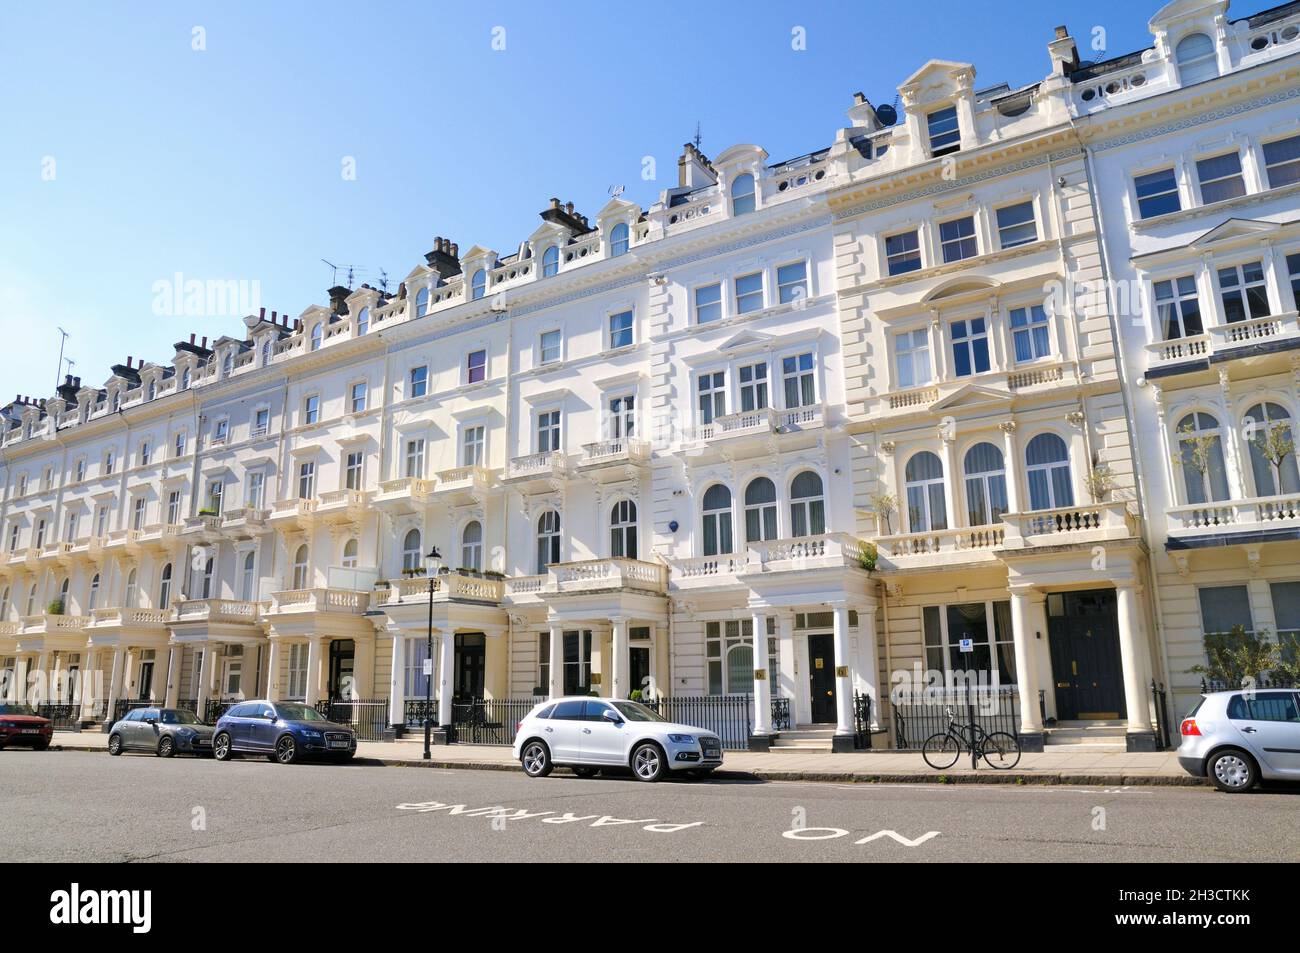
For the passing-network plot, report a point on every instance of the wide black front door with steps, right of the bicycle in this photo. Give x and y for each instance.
(1085, 638)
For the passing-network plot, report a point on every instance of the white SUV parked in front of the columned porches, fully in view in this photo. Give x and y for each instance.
(591, 734)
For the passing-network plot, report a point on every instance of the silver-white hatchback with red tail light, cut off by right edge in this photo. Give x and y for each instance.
(1238, 738)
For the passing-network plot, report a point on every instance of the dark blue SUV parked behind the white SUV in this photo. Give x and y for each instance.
(284, 731)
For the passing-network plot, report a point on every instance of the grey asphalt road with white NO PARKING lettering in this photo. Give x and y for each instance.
(89, 807)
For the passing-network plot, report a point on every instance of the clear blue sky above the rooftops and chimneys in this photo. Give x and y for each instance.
(148, 146)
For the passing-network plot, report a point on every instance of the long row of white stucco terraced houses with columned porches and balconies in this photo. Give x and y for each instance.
(796, 428)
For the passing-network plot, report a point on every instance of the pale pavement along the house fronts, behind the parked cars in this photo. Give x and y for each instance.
(866, 768)
